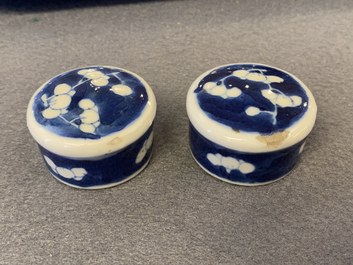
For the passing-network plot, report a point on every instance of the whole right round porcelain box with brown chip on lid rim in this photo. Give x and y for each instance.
(249, 122)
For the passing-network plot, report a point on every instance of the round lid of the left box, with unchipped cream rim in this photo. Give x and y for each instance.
(91, 111)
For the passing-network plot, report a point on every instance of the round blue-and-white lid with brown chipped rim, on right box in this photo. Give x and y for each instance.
(251, 107)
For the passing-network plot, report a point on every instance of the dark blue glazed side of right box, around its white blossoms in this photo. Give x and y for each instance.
(268, 166)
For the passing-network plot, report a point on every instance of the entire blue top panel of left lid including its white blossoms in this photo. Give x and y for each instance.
(90, 103)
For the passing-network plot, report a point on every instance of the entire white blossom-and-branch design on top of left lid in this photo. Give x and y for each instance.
(57, 104)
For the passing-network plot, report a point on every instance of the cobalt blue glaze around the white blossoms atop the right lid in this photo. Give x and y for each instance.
(231, 111)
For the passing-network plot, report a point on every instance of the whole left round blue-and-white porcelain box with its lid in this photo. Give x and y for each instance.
(93, 125)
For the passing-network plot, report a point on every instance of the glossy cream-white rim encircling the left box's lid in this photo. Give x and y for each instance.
(81, 148)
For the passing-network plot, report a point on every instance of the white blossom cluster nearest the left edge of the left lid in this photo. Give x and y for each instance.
(57, 104)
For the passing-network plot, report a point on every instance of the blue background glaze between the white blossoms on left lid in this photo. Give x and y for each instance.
(115, 111)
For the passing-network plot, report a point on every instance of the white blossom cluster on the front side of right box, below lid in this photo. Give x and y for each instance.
(230, 163)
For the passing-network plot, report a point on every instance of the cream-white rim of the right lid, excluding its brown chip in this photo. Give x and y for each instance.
(244, 141)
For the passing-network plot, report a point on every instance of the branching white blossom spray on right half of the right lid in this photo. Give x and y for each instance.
(275, 96)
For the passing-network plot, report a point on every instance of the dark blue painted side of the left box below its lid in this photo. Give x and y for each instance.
(107, 171)
